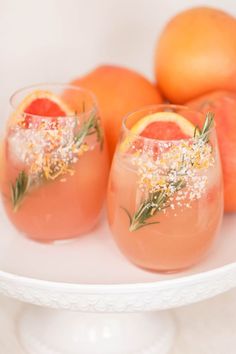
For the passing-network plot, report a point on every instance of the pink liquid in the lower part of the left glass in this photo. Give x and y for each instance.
(63, 208)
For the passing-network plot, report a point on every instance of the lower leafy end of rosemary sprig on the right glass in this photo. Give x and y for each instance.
(154, 203)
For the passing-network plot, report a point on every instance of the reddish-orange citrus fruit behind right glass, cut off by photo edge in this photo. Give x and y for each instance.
(223, 104)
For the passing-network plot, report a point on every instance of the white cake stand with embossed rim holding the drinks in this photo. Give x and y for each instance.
(93, 301)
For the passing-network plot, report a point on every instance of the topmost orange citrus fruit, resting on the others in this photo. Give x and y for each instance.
(196, 54)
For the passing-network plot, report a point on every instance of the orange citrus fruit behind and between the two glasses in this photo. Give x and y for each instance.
(118, 91)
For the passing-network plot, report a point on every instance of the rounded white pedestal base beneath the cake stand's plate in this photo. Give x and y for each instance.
(54, 332)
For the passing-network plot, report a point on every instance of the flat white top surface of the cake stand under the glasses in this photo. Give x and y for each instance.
(94, 258)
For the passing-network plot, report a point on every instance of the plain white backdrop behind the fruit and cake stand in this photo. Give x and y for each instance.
(57, 40)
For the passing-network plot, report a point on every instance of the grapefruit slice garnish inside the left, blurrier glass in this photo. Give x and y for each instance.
(42, 104)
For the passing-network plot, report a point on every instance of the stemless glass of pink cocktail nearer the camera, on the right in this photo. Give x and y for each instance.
(165, 197)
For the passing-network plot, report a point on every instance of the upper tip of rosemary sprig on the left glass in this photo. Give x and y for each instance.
(90, 127)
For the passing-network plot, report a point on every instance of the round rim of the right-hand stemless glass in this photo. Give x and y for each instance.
(159, 106)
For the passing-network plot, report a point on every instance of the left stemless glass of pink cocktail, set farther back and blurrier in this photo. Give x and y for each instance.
(54, 168)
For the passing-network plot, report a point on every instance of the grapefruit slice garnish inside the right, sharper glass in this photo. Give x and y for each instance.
(160, 126)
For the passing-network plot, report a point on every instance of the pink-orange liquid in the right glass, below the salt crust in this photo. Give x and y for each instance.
(182, 236)
